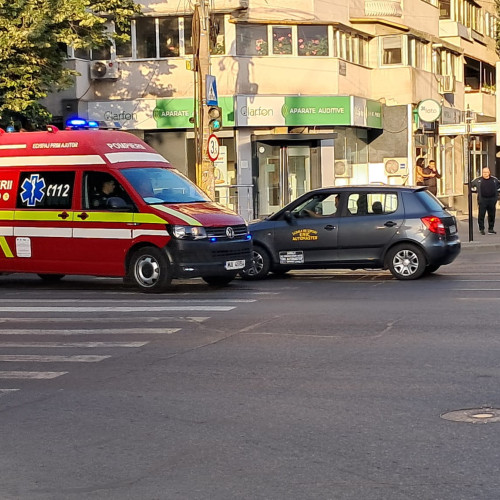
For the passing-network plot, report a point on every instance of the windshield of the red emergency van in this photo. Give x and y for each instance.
(162, 185)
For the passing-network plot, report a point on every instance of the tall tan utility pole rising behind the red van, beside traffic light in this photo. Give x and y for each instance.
(201, 49)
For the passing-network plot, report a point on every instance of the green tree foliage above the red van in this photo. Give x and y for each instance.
(34, 35)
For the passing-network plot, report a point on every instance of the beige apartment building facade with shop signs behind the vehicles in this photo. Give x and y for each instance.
(313, 93)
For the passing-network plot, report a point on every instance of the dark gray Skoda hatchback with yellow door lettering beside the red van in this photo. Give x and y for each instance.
(404, 229)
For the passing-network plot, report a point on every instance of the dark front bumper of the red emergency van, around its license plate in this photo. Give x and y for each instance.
(191, 259)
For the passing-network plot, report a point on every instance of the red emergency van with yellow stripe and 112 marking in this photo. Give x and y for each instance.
(104, 203)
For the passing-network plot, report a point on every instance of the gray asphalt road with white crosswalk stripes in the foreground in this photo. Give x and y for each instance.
(318, 385)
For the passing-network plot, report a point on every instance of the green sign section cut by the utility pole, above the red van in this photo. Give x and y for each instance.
(175, 113)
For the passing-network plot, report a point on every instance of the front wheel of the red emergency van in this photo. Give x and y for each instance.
(149, 270)
